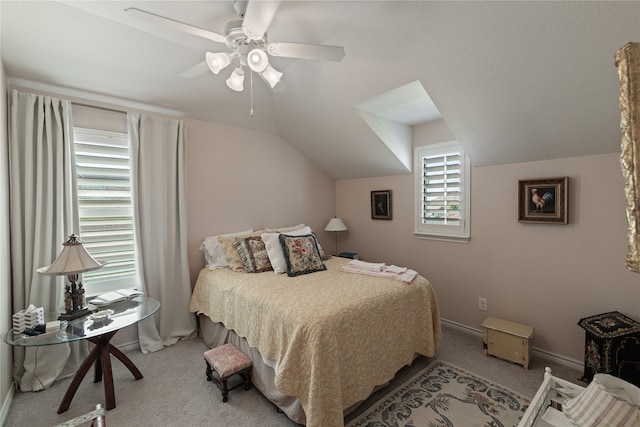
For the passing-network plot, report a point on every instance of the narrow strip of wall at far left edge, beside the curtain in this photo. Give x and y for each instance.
(6, 360)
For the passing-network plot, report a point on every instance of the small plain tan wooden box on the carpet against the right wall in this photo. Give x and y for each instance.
(507, 340)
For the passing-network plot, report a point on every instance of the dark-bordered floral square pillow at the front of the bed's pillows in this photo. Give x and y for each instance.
(301, 254)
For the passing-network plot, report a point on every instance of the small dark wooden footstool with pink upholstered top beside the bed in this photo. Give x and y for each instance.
(226, 361)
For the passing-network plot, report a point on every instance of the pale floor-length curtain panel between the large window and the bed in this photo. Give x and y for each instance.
(158, 164)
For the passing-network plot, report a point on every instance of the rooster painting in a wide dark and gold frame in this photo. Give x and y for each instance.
(544, 200)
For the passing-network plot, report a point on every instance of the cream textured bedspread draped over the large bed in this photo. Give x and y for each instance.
(333, 335)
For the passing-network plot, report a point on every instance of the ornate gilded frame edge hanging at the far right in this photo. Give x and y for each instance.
(628, 63)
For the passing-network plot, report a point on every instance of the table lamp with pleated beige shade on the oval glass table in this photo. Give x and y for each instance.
(73, 260)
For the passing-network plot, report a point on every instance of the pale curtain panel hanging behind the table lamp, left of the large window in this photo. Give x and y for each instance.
(43, 215)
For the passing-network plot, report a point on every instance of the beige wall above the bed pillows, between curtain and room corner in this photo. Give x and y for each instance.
(240, 179)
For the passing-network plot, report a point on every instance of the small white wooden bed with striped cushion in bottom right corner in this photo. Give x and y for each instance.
(606, 401)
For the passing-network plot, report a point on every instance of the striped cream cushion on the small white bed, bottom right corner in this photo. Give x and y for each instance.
(596, 407)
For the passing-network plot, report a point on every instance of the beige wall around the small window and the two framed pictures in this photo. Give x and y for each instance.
(548, 276)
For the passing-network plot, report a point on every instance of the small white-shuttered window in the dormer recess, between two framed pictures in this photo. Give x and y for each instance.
(442, 192)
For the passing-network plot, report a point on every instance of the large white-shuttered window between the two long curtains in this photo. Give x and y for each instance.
(105, 208)
